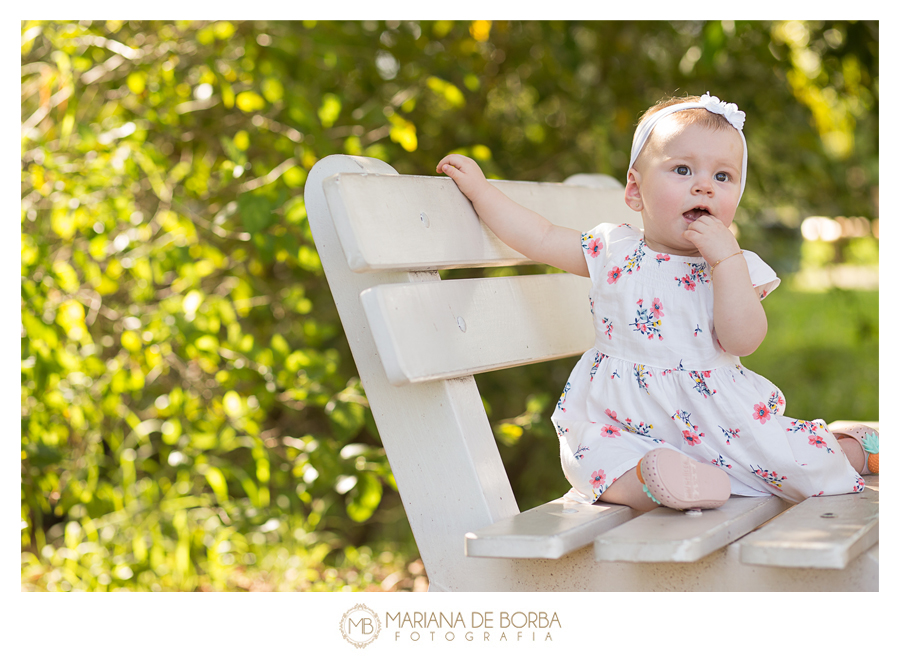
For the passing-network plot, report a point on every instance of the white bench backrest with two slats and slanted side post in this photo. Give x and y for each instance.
(417, 340)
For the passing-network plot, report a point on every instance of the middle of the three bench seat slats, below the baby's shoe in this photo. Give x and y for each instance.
(667, 535)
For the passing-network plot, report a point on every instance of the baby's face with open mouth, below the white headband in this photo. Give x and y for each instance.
(684, 172)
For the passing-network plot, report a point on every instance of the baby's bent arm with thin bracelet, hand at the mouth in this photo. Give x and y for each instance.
(738, 315)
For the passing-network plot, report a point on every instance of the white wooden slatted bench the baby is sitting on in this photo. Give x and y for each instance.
(418, 341)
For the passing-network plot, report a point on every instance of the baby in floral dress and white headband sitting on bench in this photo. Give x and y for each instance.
(660, 410)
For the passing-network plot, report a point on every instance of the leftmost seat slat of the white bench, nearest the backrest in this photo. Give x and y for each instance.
(548, 531)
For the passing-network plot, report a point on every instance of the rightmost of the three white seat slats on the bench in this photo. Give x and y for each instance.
(804, 537)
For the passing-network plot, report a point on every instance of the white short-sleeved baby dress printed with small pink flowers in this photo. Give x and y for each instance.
(657, 377)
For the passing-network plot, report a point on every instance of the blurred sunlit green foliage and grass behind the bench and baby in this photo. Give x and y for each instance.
(191, 415)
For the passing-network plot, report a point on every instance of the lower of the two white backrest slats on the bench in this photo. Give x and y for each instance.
(444, 329)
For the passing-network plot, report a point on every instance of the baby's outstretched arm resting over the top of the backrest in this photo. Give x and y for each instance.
(525, 231)
